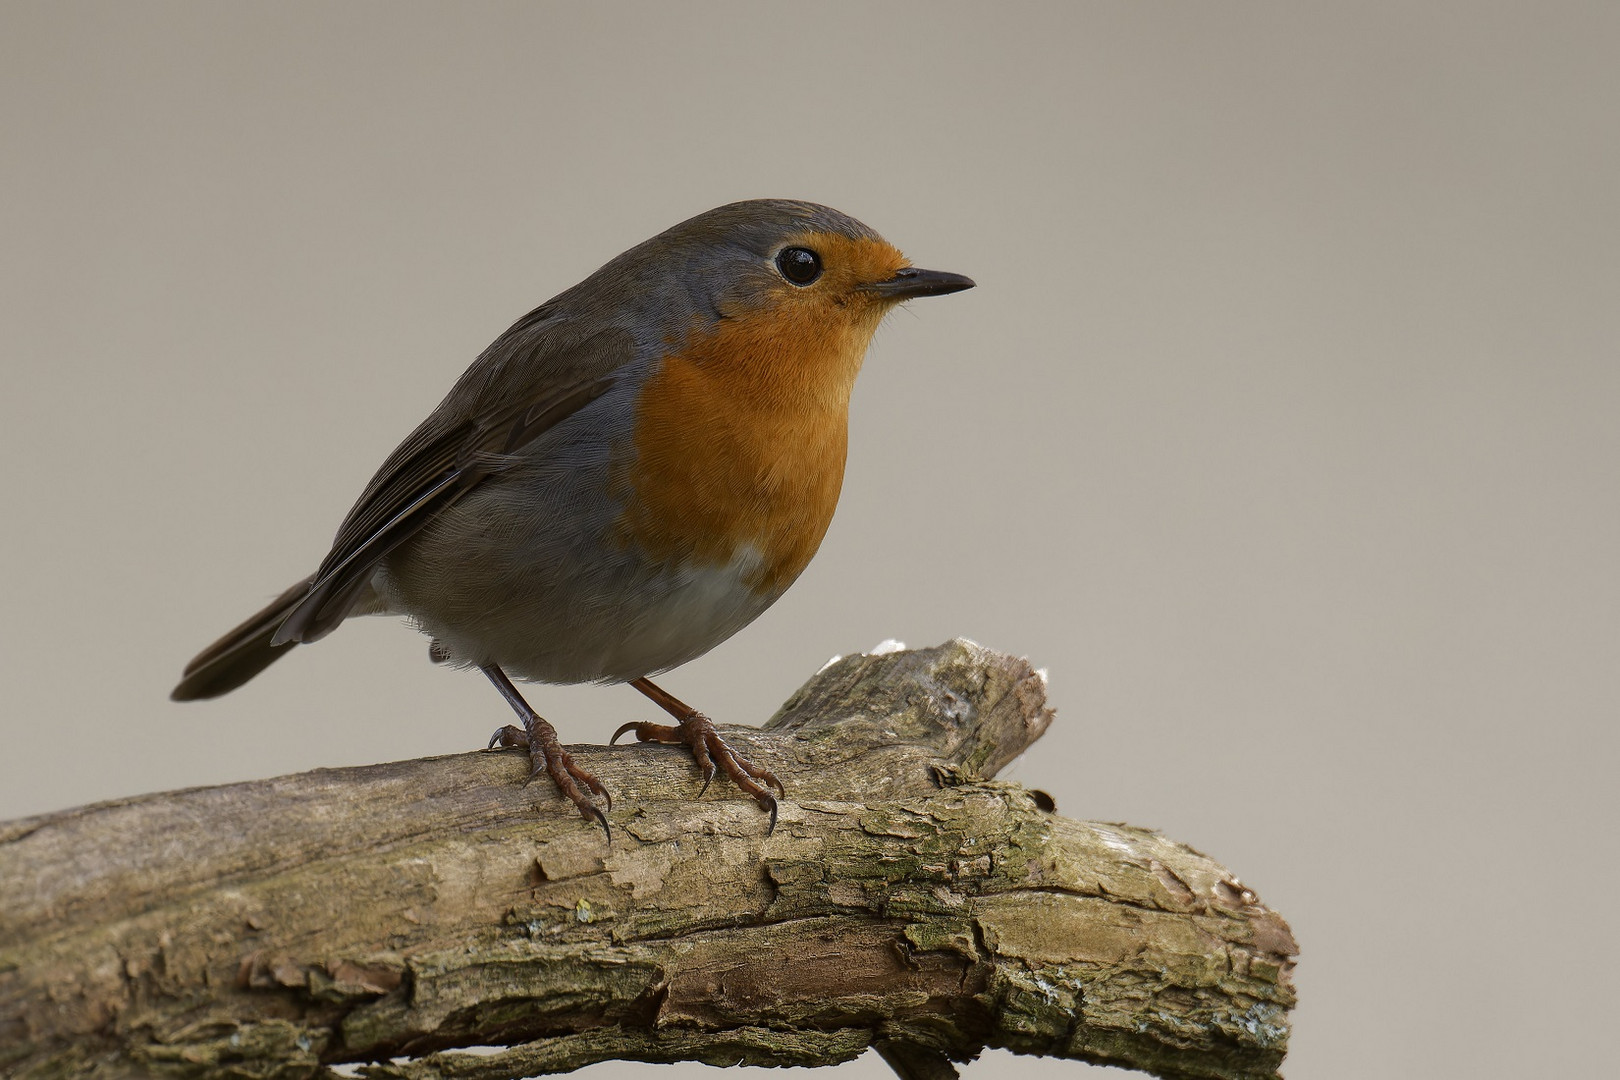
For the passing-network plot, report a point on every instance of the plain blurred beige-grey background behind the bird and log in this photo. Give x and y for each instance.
(1284, 427)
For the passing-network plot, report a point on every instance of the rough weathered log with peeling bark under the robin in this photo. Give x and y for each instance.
(906, 903)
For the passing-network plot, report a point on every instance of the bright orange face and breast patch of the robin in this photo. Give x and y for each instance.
(741, 433)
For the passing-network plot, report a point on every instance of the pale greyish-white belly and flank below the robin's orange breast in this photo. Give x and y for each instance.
(534, 579)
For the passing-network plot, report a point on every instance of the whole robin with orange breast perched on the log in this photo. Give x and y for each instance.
(621, 482)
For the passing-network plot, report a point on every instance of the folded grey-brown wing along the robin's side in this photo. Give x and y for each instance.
(527, 381)
